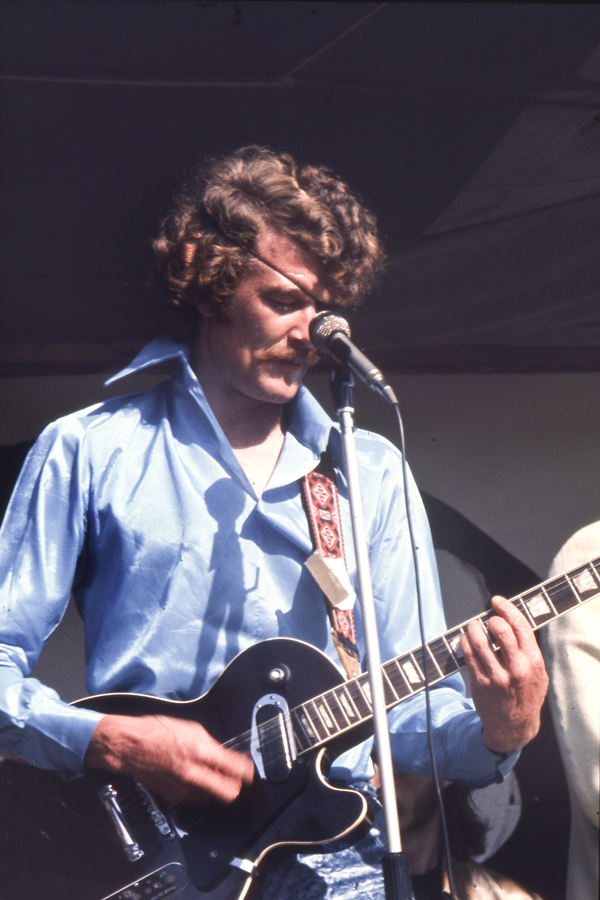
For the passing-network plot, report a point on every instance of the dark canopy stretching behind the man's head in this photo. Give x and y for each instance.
(472, 130)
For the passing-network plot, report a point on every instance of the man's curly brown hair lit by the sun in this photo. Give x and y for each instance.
(205, 245)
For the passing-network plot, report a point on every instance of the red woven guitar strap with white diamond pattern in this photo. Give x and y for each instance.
(321, 503)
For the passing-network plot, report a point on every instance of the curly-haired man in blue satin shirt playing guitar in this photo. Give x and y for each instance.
(176, 515)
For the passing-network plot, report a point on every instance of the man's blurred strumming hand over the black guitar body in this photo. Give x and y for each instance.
(174, 758)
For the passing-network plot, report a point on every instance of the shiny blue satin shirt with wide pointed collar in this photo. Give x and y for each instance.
(139, 505)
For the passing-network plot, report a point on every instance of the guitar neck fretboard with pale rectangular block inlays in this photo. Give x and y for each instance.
(348, 706)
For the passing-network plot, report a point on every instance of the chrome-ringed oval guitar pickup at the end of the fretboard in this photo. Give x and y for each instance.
(272, 744)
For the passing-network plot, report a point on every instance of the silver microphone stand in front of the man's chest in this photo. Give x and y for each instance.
(396, 876)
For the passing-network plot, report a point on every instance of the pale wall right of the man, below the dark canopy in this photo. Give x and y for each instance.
(519, 455)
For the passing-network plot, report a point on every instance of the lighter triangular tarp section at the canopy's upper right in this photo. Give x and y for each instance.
(515, 257)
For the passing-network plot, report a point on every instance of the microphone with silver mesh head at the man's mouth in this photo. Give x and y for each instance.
(331, 334)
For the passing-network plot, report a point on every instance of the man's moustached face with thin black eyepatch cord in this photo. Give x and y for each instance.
(263, 350)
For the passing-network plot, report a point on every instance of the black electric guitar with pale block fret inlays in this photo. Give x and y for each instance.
(104, 837)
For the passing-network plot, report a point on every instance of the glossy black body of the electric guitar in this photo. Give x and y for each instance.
(59, 842)
